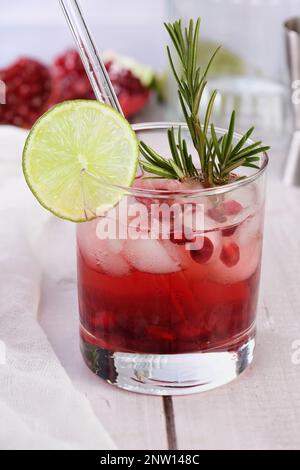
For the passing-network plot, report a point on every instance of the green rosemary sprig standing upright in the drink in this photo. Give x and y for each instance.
(218, 157)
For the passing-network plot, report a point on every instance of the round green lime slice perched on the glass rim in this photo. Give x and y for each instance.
(76, 137)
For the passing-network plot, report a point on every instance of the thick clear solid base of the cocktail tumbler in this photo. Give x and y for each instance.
(174, 374)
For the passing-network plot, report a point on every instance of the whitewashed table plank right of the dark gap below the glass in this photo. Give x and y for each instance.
(260, 410)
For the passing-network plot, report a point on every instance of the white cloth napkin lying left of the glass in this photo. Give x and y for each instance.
(39, 407)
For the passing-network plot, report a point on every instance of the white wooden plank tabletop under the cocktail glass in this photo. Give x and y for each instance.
(260, 410)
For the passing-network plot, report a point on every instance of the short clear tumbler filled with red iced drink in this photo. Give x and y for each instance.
(168, 279)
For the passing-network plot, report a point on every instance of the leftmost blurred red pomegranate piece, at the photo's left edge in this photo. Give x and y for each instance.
(28, 89)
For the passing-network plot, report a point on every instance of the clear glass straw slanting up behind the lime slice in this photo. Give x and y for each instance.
(93, 64)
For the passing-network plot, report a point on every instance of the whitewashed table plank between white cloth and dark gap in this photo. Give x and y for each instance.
(133, 421)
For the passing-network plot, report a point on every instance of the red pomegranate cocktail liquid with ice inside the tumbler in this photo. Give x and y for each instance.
(160, 297)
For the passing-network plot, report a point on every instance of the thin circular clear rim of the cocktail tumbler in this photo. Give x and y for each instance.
(148, 126)
